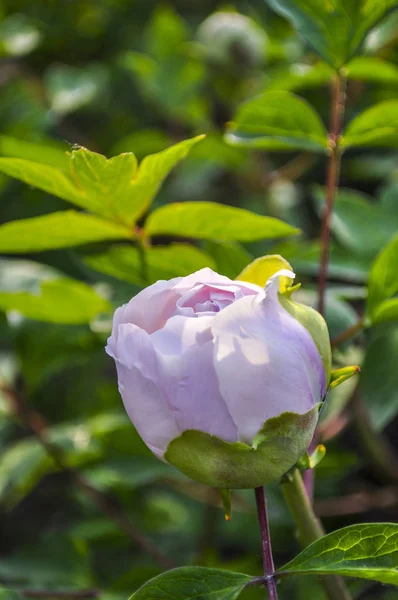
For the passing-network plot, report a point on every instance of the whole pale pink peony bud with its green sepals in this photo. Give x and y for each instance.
(222, 379)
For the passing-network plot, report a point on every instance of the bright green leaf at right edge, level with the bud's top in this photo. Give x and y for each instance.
(383, 278)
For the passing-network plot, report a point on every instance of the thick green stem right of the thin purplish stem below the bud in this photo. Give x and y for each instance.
(310, 528)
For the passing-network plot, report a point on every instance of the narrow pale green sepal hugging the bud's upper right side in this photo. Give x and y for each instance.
(315, 324)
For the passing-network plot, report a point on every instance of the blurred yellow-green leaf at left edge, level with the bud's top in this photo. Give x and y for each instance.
(59, 301)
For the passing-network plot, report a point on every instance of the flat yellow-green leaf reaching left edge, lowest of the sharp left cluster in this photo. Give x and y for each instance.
(57, 230)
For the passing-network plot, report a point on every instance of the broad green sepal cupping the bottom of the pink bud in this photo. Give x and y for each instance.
(277, 447)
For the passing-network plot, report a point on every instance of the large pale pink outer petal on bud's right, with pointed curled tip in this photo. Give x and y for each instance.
(266, 361)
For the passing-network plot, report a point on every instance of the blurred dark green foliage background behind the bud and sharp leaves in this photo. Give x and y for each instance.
(128, 76)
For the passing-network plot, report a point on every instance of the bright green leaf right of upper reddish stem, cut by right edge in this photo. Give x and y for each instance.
(376, 126)
